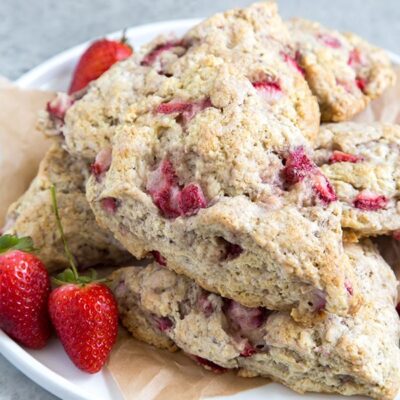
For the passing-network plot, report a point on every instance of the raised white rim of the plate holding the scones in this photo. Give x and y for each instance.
(12, 351)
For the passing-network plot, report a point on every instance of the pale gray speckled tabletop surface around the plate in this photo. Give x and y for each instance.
(32, 31)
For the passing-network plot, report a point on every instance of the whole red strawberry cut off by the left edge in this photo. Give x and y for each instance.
(24, 292)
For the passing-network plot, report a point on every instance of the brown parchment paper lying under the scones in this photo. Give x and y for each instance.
(141, 371)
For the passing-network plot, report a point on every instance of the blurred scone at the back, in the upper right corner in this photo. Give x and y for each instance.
(343, 70)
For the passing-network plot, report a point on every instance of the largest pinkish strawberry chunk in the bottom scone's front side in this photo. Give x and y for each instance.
(244, 318)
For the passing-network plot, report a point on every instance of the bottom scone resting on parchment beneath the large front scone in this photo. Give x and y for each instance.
(347, 355)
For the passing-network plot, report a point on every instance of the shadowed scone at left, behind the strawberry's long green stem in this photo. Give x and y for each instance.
(32, 215)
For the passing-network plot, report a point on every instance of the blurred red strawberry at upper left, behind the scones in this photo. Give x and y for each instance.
(97, 59)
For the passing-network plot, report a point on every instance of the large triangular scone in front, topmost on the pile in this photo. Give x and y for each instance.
(226, 192)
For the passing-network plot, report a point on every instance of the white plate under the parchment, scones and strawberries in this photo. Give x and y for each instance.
(50, 367)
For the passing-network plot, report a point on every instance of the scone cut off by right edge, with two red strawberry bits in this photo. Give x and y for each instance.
(362, 161)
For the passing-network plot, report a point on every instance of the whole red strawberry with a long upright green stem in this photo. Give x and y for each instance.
(84, 313)
